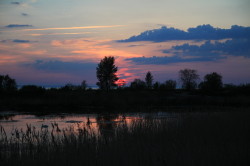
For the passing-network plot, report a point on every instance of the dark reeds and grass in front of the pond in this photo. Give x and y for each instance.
(197, 139)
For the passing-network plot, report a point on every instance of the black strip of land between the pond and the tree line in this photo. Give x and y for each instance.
(37, 99)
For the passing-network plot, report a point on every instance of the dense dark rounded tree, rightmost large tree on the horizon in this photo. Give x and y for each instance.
(212, 82)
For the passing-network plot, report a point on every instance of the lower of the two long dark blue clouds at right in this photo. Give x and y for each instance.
(209, 51)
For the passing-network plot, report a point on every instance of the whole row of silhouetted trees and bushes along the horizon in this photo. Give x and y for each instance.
(107, 79)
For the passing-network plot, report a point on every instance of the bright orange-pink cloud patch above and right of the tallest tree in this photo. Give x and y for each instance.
(95, 50)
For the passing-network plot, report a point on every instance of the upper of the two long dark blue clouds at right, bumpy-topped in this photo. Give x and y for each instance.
(201, 32)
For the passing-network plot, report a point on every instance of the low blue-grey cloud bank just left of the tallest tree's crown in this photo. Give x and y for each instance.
(60, 66)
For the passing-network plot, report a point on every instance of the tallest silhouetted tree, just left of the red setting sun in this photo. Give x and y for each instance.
(106, 73)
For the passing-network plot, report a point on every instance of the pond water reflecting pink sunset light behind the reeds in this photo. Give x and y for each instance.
(12, 121)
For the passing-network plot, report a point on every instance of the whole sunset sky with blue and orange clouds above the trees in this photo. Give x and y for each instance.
(52, 43)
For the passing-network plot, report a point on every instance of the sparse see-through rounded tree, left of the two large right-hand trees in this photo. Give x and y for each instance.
(188, 78)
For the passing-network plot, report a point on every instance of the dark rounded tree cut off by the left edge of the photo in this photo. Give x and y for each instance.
(7, 83)
